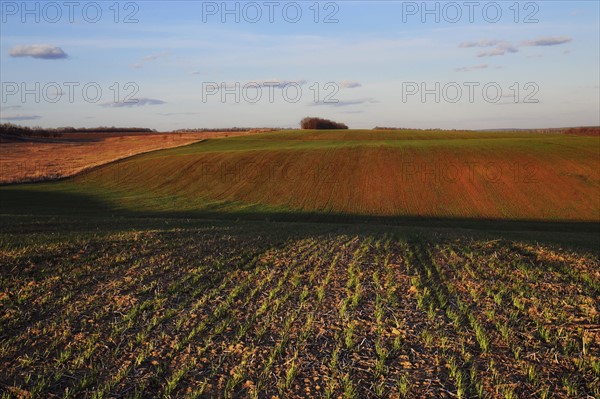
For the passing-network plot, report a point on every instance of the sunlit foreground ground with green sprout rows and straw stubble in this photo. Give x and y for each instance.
(225, 312)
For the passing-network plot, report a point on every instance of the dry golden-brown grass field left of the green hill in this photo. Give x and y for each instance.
(47, 159)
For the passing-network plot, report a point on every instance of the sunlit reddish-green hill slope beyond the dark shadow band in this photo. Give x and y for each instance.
(472, 175)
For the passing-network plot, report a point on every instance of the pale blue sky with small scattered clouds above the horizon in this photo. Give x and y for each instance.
(188, 64)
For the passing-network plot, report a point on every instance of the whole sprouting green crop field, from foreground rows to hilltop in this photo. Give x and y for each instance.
(193, 273)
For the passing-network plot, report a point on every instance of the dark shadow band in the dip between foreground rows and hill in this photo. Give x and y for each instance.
(60, 205)
